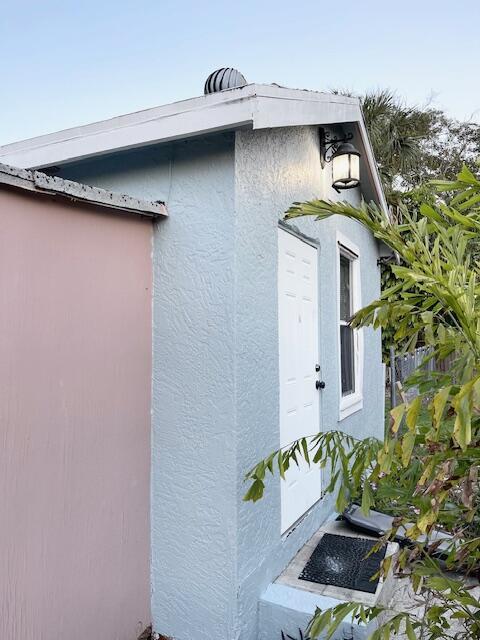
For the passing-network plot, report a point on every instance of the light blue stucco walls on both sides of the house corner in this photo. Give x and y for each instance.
(215, 353)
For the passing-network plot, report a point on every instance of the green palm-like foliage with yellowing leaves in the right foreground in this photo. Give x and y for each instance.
(425, 474)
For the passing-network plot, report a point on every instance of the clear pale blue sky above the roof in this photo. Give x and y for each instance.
(72, 62)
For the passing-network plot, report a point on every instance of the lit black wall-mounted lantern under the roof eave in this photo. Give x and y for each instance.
(345, 159)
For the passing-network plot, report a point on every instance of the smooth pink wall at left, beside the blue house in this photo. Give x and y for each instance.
(75, 372)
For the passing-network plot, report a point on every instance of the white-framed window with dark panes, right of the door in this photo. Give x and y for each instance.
(350, 340)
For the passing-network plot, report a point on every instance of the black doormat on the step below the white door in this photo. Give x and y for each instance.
(340, 561)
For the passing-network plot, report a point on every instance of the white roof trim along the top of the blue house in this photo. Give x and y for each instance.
(256, 106)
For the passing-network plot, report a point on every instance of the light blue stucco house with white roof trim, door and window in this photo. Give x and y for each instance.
(249, 314)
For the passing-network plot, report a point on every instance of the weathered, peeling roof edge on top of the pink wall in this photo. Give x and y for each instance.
(37, 182)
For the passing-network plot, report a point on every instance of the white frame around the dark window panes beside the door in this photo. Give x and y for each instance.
(352, 402)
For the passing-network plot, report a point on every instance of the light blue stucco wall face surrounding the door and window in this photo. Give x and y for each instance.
(273, 169)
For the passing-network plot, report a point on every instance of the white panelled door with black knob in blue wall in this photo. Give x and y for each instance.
(298, 352)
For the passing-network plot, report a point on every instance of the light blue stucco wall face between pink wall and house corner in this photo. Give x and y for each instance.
(193, 513)
